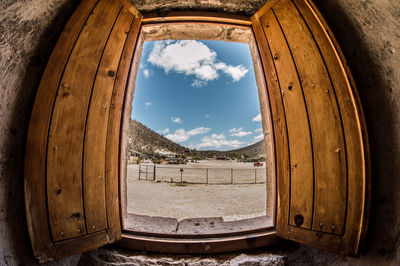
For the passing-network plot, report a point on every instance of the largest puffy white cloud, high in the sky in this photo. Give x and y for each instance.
(191, 57)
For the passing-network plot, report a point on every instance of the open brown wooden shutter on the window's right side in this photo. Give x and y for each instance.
(321, 146)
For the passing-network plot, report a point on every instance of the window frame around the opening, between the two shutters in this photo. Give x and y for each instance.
(197, 244)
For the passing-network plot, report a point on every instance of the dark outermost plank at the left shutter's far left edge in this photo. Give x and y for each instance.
(36, 146)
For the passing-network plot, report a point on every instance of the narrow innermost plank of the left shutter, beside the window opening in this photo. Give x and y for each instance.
(112, 159)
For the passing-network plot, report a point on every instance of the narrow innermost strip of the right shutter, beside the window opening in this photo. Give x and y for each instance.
(282, 159)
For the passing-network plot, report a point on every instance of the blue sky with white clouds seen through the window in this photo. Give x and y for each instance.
(200, 94)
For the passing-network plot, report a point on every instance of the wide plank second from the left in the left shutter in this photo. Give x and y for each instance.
(65, 146)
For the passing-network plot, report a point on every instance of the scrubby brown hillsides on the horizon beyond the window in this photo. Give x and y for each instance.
(144, 140)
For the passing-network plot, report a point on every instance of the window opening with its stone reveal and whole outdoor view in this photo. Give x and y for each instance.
(231, 181)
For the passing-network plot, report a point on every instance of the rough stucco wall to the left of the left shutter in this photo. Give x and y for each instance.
(28, 32)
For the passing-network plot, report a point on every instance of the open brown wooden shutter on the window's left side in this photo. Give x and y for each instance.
(72, 159)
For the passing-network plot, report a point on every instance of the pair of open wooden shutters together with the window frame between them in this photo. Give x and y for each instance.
(74, 161)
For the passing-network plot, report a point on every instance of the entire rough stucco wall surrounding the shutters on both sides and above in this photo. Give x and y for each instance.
(367, 30)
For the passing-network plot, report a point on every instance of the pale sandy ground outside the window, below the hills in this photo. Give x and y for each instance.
(232, 202)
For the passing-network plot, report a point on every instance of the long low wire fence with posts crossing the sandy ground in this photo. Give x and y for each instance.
(211, 176)
